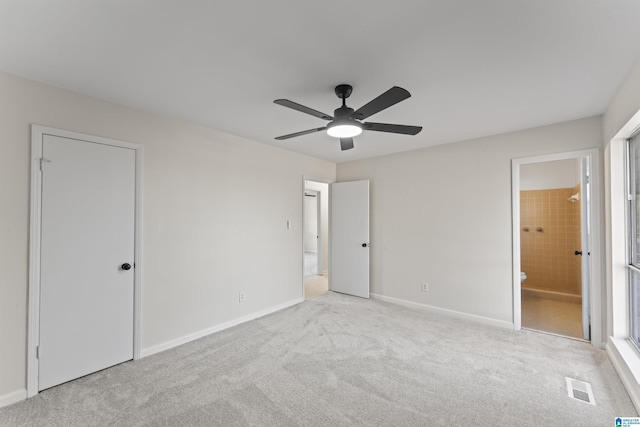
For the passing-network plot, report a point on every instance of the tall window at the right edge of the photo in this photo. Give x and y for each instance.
(633, 230)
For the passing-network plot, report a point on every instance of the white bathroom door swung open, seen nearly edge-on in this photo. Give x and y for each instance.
(585, 228)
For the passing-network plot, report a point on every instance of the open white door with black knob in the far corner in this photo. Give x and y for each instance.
(349, 271)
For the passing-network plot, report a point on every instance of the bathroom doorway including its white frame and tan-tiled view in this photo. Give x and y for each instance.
(553, 214)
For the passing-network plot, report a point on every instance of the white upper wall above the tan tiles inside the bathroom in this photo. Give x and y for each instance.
(549, 175)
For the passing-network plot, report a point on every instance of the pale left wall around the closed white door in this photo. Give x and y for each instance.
(201, 187)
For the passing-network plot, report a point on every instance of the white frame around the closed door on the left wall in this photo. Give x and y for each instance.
(35, 237)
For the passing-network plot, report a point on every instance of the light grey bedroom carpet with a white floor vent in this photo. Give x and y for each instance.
(336, 360)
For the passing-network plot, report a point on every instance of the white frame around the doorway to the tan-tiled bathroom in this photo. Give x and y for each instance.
(595, 260)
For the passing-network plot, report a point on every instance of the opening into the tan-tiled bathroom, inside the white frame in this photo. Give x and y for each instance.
(551, 250)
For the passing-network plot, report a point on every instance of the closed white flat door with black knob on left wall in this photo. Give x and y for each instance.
(86, 290)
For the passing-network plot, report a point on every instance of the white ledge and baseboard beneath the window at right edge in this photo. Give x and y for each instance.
(627, 364)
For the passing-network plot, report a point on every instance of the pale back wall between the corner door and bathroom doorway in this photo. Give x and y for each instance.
(443, 215)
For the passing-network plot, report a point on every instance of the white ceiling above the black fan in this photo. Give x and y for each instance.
(474, 68)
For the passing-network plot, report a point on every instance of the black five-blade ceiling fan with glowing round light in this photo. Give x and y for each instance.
(347, 123)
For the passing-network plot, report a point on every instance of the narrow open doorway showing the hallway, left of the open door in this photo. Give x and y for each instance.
(315, 238)
